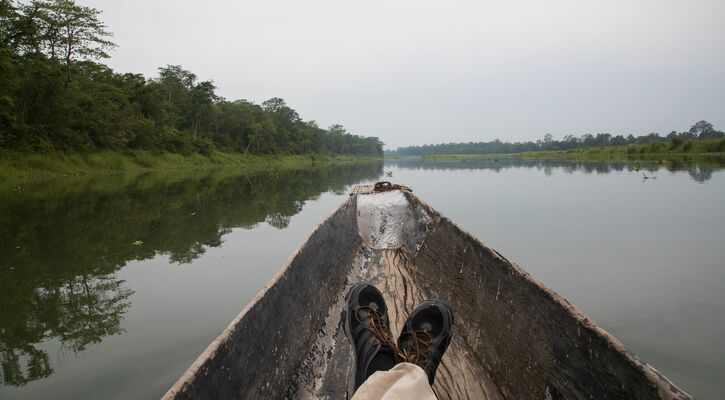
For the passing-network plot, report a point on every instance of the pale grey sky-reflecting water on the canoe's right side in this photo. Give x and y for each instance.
(643, 259)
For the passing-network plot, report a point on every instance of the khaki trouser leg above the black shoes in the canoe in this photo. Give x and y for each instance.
(403, 382)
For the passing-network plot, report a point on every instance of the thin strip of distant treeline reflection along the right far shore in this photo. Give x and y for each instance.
(700, 170)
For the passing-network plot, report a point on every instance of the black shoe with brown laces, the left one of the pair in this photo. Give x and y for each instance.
(368, 329)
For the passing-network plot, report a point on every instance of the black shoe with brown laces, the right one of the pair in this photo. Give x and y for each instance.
(426, 335)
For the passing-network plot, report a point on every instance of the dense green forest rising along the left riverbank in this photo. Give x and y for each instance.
(56, 96)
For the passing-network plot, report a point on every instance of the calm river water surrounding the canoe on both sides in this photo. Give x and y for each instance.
(111, 286)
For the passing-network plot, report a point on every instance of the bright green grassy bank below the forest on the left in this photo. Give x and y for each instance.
(25, 166)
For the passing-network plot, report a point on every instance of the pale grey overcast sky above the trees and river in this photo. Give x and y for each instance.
(414, 72)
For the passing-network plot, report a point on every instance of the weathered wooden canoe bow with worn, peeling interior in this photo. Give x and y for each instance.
(514, 337)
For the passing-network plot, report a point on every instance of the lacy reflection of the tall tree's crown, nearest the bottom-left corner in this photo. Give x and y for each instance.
(78, 312)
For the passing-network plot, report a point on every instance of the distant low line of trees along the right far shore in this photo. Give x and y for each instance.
(700, 131)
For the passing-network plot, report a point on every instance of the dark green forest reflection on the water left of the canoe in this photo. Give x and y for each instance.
(62, 242)
